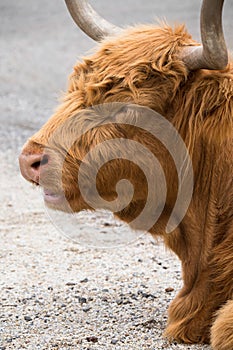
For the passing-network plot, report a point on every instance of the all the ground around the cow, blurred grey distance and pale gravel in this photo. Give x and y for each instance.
(55, 293)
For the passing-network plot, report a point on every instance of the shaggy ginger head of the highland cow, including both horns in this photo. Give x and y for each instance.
(145, 65)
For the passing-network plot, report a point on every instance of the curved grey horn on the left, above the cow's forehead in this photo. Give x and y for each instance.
(89, 21)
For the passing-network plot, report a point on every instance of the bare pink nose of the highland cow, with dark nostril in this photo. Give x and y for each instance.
(31, 166)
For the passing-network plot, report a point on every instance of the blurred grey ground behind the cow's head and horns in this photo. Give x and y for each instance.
(39, 44)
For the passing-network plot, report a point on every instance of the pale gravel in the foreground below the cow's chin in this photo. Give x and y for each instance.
(56, 294)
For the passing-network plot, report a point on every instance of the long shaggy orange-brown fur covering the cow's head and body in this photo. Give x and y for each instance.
(141, 66)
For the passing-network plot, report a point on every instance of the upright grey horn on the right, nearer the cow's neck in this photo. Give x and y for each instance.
(213, 53)
